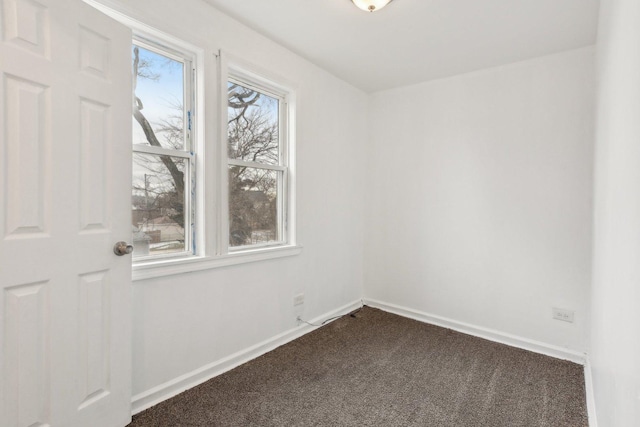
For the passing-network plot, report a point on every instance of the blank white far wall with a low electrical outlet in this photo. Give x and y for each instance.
(479, 197)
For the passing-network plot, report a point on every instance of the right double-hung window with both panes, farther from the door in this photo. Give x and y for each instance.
(258, 173)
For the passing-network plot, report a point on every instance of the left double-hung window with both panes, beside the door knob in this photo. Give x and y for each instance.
(163, 157)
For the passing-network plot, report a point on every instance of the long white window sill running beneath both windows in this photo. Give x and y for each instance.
(151, 269)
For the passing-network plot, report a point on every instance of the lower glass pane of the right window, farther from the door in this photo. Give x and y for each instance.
(253, 206)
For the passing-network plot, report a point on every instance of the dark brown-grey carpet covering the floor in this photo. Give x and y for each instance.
(379, 369)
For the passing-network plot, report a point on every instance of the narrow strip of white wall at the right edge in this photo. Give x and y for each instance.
(615, 333)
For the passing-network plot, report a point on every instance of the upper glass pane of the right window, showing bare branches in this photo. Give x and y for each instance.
(253, 125)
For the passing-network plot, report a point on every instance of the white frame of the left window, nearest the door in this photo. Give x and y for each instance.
(190, 150)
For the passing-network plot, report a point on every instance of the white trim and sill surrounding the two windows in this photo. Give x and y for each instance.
(212, 235)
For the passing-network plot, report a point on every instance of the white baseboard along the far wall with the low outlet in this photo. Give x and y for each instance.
(481, 332)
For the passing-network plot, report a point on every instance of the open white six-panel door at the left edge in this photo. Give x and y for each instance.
(65, 126)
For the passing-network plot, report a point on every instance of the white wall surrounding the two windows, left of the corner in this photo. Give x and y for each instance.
(182, 323)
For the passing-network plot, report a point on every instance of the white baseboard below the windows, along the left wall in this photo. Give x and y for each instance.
(157, 394)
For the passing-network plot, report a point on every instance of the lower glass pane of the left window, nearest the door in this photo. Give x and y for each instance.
(158, 204)
